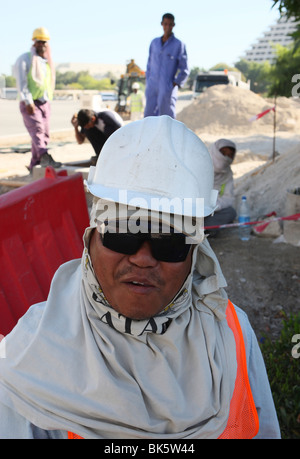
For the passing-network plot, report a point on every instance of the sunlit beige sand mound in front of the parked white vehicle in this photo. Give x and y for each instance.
(226, 110)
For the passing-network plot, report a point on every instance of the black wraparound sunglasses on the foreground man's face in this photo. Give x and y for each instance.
(164, 247)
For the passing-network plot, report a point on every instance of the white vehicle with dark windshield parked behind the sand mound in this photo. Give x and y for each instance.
(205, 80)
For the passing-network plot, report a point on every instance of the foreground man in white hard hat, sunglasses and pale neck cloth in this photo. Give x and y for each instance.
(138, 339)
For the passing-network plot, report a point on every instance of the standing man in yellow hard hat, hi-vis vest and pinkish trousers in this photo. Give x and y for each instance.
(35, 75)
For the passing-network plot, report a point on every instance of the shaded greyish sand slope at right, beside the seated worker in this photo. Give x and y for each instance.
(266, 187)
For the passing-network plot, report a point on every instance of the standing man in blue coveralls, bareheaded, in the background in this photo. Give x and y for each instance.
(167, 69)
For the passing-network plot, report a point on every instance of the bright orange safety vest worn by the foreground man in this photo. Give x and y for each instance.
(243, 419)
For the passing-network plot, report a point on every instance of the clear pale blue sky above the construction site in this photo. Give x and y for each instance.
(113, 32)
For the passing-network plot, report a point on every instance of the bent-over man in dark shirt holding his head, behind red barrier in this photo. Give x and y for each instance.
(96, 127)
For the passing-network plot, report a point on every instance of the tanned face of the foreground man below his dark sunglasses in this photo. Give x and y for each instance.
(137, 286)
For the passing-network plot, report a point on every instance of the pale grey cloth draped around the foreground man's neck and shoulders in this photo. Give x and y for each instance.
(73, 363)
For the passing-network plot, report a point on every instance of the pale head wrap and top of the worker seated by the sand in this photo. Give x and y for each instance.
(223, 177)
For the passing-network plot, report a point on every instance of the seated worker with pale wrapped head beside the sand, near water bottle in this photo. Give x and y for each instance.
(223, 153)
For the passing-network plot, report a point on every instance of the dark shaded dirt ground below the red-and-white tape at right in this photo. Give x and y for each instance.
(263, 278)
